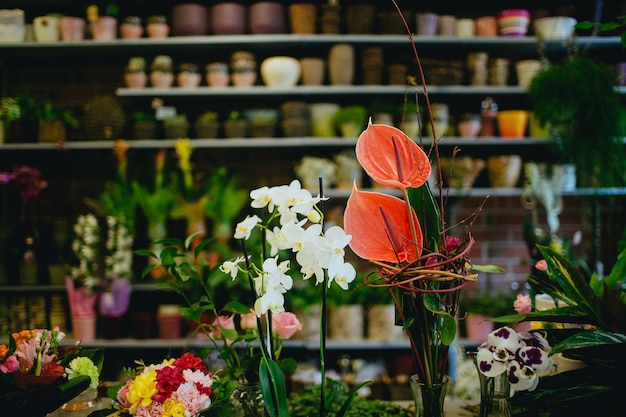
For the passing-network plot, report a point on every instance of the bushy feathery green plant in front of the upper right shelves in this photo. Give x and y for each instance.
(577, 101)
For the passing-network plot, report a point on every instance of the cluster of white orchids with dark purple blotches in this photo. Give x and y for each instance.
(523, 356)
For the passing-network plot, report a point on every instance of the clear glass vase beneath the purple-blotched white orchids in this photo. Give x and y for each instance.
(494, 395)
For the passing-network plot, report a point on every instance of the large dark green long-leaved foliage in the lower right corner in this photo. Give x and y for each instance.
(596, 305)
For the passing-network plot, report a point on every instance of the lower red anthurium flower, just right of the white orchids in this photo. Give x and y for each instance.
(380, 227)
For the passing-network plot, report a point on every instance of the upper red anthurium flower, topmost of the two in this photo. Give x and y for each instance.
(391, 158)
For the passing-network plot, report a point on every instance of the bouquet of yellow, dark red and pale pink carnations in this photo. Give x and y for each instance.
(176, 387)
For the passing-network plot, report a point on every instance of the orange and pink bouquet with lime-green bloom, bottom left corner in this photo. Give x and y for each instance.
(37, 376)
